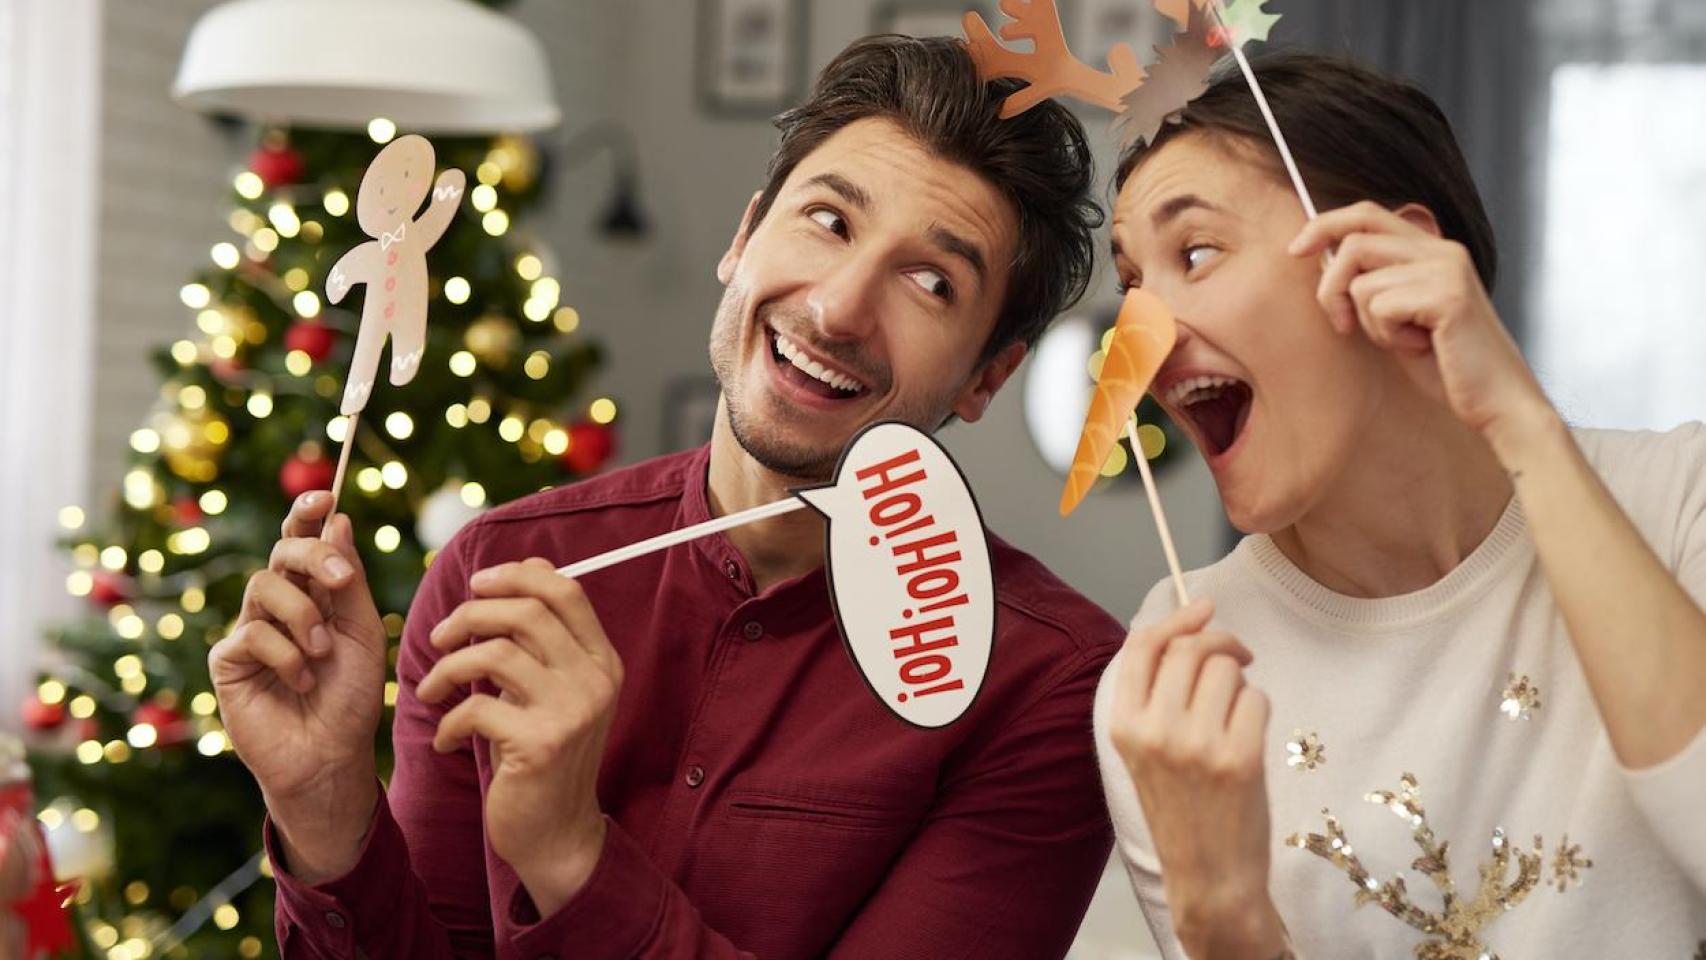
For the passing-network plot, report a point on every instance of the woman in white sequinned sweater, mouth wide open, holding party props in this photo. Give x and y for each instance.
(1448, 594)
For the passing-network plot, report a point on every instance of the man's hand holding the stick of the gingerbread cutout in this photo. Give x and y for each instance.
(301, 688)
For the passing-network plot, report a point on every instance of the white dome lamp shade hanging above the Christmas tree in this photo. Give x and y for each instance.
(427, 66)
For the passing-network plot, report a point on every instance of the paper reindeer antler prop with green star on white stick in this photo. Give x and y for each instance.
(1142, 100)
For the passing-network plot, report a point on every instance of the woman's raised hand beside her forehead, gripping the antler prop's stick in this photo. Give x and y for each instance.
(1419, 296)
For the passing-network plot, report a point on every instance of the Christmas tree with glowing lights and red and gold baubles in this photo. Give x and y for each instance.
(142, 797)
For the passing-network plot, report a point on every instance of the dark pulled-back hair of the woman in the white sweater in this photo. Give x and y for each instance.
(1355, 136)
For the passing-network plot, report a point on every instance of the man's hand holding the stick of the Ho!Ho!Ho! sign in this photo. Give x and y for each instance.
(559, 680)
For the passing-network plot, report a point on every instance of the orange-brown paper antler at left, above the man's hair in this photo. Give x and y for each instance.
(1050, 69)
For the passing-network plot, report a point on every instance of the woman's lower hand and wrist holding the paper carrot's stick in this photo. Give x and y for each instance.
(1192, 734)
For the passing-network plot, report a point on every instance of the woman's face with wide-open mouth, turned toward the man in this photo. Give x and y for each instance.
(1272, 396)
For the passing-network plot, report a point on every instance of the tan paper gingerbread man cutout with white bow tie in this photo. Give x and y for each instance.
(393, 265)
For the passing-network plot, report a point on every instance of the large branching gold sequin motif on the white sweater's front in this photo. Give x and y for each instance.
(1456, 928)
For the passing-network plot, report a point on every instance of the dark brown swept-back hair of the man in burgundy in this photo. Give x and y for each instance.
(1040, 161)
